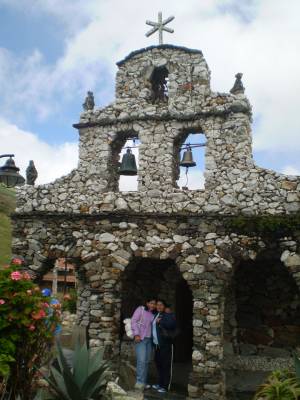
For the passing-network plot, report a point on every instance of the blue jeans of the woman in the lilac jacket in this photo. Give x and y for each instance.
(143, 352)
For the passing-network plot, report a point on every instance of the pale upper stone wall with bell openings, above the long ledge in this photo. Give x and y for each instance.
(233, 183)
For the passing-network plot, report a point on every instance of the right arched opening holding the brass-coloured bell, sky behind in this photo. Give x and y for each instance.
(189, 160)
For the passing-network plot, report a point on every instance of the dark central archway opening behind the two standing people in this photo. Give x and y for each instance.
(147, 277)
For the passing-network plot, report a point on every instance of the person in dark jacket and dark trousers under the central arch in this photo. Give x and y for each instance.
(162, 327)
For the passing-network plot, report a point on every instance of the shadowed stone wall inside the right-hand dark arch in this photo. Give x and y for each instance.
(262, 315)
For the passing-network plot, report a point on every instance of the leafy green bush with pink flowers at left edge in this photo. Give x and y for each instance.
(27, 323)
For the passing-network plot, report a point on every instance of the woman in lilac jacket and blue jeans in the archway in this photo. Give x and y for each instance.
(141, 324)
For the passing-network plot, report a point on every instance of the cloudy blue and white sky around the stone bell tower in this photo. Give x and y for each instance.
(53, 51)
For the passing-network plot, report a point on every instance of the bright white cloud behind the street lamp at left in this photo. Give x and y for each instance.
(50, 161)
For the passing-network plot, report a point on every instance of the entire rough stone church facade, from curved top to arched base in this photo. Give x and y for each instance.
(108, 234)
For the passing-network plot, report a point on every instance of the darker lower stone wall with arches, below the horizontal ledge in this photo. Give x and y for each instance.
(103, 247)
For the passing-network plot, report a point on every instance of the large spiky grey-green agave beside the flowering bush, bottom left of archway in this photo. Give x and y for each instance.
(86, 379)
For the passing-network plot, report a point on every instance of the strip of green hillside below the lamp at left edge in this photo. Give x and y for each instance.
(7, 205)
